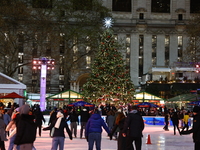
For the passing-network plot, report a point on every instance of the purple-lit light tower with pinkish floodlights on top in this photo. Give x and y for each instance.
(43, 64)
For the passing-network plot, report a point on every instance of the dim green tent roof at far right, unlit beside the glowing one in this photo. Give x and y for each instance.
(184, 97)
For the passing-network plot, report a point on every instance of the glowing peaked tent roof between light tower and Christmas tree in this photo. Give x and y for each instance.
(69, 94)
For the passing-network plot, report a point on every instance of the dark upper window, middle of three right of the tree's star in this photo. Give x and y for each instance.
(160, 6)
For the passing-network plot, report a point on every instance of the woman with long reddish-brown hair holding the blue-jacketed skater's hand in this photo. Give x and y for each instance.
(119, 123)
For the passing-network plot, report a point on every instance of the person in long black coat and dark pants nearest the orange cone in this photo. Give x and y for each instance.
(133, 127)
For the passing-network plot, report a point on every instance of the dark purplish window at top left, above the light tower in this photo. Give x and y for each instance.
(42, 3)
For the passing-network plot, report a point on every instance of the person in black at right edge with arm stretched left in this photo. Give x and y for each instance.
(195, 128)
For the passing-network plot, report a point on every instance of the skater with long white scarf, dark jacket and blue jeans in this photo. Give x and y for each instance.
(57, 127)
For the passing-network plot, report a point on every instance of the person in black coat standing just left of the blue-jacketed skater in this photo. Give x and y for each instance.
(84, 116)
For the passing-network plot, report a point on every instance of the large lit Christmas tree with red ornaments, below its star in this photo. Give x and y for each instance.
(109, 80)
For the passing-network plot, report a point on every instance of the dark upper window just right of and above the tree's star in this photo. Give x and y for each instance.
(121, 5)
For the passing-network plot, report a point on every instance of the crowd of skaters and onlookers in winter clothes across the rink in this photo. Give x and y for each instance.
(19, 125)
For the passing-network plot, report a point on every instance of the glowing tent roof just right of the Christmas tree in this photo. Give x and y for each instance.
(146, 96)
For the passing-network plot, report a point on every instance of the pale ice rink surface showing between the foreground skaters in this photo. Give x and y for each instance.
(160, 140)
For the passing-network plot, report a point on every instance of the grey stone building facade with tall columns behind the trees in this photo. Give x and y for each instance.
(154, 32)
